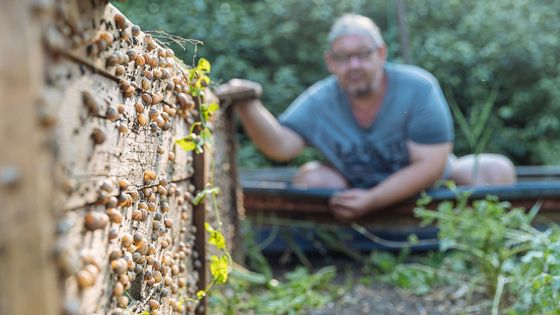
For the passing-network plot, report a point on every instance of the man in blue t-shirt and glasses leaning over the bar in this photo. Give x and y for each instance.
(384, 128)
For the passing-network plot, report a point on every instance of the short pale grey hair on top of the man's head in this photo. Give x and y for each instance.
(354, 24)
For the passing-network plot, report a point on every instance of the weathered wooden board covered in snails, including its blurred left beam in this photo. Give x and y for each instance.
(76, 156)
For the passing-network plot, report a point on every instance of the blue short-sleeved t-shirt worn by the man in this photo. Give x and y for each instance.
(413, 108)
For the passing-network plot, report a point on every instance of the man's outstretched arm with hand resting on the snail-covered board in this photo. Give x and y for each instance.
(274, 140)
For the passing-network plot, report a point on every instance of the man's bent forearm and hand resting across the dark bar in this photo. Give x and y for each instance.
(427, 164)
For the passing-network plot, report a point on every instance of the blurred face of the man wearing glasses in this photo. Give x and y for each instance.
(357, 63)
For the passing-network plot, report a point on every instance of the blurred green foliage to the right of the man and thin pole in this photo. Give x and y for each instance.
(475, 46)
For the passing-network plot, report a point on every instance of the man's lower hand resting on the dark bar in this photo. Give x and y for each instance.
(350, 204)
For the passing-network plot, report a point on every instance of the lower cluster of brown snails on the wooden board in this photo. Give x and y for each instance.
(157, 259)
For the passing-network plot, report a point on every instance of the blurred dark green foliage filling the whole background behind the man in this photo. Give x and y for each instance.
(474, 48)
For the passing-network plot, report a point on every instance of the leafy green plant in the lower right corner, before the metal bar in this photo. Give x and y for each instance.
(517, 265)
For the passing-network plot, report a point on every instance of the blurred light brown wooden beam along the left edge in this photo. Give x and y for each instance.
(28, 277)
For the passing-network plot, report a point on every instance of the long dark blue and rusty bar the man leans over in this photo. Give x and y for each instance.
(279, 198)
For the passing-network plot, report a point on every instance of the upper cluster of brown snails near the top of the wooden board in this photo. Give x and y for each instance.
(164, 91)
